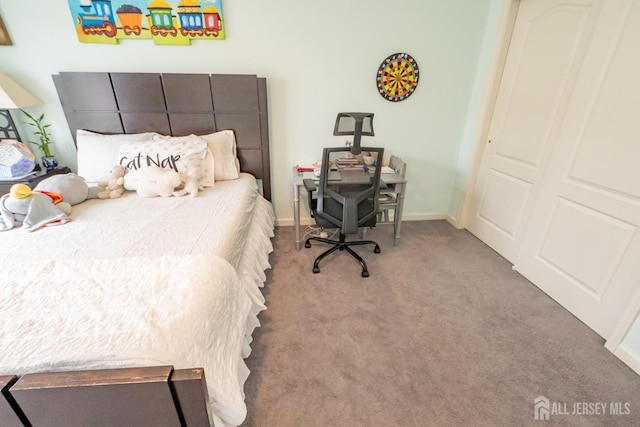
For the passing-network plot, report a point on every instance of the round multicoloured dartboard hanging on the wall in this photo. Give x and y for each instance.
(397, 77)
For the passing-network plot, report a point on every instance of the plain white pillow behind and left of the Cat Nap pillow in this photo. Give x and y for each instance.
(98, 153)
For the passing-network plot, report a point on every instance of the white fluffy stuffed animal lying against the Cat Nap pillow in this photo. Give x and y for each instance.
(152, 181)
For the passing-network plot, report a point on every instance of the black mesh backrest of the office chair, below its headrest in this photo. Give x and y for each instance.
(348, 205)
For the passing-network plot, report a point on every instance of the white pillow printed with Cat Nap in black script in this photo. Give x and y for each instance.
(181, 154)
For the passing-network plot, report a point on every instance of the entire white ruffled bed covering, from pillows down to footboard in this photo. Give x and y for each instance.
(161, 281)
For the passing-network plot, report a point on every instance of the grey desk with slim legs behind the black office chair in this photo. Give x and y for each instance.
(387, 178)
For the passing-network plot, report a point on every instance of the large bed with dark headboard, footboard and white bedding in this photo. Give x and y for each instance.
(140, 311)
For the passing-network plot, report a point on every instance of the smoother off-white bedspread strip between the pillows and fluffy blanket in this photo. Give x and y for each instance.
(215, 222)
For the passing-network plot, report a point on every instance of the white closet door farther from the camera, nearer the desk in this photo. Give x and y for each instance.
(545, 53)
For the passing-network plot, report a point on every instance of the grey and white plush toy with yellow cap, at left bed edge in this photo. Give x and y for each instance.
(32, 210)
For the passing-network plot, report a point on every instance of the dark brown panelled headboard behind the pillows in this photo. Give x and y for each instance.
(173, 104)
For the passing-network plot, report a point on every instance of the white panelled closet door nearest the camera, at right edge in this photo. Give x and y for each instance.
(582, 243)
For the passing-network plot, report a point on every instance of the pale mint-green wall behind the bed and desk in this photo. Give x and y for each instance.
(320, 57)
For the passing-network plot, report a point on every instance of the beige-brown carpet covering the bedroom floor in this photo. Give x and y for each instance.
(443, 333)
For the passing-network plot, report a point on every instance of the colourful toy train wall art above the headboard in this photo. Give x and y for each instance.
(173, 22)
